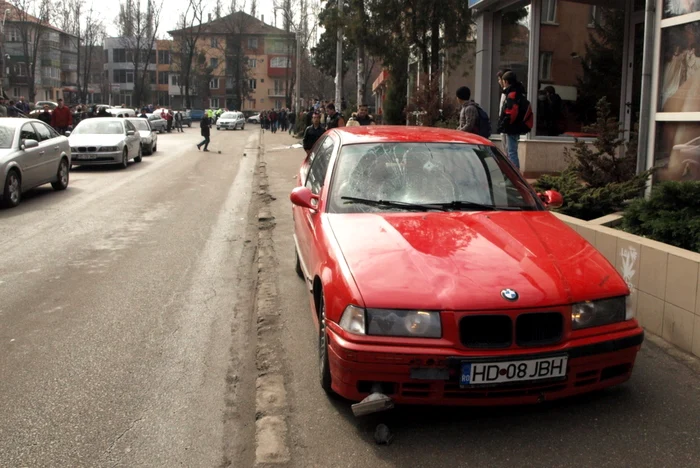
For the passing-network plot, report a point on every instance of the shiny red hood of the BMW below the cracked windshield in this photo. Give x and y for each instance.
(462, 261)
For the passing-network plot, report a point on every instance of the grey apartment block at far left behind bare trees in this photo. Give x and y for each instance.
(56, 56)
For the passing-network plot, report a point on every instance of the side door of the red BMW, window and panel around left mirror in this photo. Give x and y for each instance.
(307, 221)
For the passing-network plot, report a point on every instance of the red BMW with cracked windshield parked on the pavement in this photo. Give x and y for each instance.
(436, 275)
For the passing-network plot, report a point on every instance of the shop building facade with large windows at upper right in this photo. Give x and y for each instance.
(569, 54)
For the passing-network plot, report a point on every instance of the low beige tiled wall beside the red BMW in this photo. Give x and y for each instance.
(664, 280)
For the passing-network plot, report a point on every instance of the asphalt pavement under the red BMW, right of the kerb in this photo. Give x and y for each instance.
(652, 421)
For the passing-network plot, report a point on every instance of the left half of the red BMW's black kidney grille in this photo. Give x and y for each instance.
(486, 331)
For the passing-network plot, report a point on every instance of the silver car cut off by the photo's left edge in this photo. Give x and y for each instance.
(31, 154)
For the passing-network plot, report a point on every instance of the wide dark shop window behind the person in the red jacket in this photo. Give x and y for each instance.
(578, 66)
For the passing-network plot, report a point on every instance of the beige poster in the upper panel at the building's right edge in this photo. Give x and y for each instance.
(680, 68)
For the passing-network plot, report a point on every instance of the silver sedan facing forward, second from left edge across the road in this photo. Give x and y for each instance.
(105, 141)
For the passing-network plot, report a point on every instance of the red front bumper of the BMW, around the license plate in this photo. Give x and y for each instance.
(593, 364)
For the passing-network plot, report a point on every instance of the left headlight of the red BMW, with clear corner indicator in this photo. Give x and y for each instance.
(391, 322)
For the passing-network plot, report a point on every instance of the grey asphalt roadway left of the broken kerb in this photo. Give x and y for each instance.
(125, 310)
